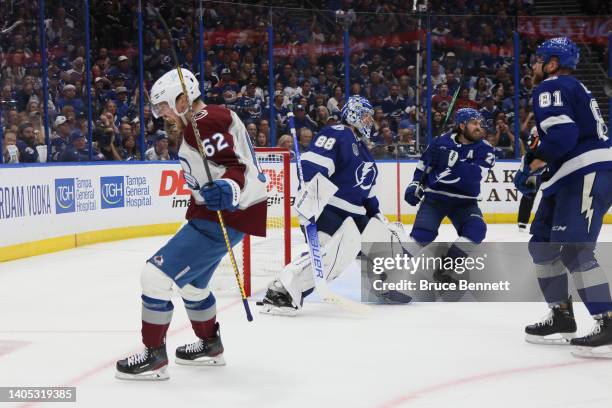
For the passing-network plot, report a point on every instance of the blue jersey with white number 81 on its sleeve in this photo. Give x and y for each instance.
(573, 134)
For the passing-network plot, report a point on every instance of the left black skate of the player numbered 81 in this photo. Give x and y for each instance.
(558, 327)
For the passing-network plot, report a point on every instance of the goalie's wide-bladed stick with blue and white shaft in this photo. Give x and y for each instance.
(314, 246)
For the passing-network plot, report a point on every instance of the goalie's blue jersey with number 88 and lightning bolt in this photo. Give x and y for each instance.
(346, 161)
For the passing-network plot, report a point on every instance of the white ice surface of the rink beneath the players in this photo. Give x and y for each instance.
(67, 317)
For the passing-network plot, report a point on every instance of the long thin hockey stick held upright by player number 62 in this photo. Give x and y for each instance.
(206, 166)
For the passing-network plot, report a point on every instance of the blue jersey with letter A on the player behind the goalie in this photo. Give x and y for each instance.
(462, 181)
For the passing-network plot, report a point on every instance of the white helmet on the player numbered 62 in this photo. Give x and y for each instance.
(168, 87)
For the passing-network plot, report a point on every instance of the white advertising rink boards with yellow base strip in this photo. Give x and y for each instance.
(46, 208)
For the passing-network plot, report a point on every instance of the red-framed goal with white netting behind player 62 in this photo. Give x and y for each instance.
(257, 256)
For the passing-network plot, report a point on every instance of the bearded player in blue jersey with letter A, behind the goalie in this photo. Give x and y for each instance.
(446, 183)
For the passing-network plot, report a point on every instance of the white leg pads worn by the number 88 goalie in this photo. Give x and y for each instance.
(338, 251)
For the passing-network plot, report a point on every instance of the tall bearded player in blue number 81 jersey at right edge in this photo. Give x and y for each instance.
(576, 153)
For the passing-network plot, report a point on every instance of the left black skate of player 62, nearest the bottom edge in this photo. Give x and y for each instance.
(149, 364)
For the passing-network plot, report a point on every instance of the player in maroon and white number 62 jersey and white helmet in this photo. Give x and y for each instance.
(189, 259)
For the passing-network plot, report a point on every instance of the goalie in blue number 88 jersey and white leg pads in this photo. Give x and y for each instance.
(341, 177)
